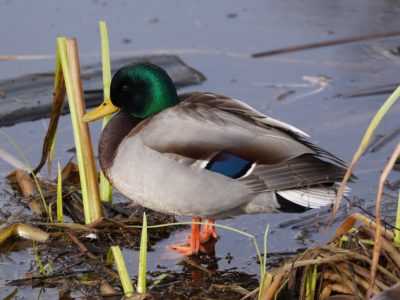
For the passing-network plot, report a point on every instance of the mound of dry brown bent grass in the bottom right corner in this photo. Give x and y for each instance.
(343, 265)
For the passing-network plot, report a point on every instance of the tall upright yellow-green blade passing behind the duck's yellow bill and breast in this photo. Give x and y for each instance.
(105, 186)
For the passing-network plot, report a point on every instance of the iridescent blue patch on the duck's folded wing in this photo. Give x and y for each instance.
(229, 165)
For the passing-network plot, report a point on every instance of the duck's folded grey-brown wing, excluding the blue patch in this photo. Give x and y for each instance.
(206, 124)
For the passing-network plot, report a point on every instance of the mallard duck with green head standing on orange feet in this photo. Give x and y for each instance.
(205, 155)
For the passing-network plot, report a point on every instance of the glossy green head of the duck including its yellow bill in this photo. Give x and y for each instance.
(141, 89)
